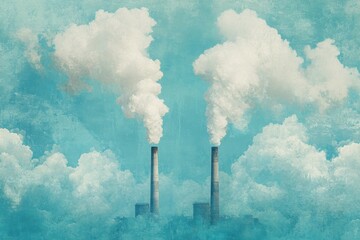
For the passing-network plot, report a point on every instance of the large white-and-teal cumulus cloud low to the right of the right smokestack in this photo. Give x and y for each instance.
(287, 182)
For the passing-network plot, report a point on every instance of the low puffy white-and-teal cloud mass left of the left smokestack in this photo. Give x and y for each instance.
(56, 194)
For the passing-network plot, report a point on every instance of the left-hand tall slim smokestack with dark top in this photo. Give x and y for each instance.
(154, 182)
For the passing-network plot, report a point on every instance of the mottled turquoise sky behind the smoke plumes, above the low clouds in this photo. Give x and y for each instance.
(183, 31)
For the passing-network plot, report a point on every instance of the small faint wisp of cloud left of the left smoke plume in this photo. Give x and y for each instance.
(31, 42)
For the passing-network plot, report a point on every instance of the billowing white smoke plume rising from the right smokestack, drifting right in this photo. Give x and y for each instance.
(256, 66)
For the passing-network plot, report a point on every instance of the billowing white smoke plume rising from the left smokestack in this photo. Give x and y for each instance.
(112, 49)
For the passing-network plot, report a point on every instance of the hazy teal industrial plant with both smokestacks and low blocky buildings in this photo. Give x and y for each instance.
(206, 222)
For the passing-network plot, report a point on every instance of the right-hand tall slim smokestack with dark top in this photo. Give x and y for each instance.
(214, 198)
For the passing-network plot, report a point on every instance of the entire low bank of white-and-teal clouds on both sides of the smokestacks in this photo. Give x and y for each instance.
(281, 179)
